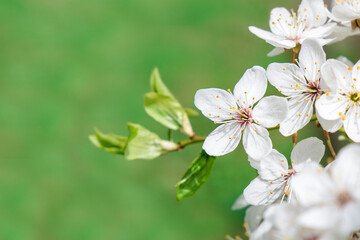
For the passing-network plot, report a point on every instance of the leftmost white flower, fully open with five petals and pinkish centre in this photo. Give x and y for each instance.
(238, 116)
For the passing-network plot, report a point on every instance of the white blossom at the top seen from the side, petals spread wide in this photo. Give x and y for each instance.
(290, 29)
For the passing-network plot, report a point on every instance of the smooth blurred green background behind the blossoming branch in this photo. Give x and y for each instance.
(68, 66)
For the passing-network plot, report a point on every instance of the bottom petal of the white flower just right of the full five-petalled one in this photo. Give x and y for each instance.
(300, 113)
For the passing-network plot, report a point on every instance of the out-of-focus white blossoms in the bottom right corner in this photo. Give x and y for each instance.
(326, 204)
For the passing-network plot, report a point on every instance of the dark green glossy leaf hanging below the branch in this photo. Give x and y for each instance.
(197, 174)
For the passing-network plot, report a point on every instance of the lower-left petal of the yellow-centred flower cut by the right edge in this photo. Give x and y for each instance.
(332, 106)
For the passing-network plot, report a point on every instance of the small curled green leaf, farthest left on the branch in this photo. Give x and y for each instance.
(109, 142)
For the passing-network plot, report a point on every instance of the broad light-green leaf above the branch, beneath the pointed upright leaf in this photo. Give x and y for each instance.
(164, 109)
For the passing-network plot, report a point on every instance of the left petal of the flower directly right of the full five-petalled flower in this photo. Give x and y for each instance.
(285, 77)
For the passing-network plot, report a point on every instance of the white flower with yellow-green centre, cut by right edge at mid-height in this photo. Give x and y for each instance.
(342, 102)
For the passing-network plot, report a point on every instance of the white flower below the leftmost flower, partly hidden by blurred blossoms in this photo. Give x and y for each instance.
(275, 174)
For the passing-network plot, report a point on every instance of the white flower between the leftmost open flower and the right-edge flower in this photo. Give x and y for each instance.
(302, 84)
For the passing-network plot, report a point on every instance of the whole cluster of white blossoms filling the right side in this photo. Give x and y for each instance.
(296, 198)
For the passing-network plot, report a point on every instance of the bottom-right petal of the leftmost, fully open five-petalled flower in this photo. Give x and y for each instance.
(256, 141)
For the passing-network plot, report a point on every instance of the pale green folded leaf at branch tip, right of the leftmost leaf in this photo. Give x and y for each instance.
(142, 144)
